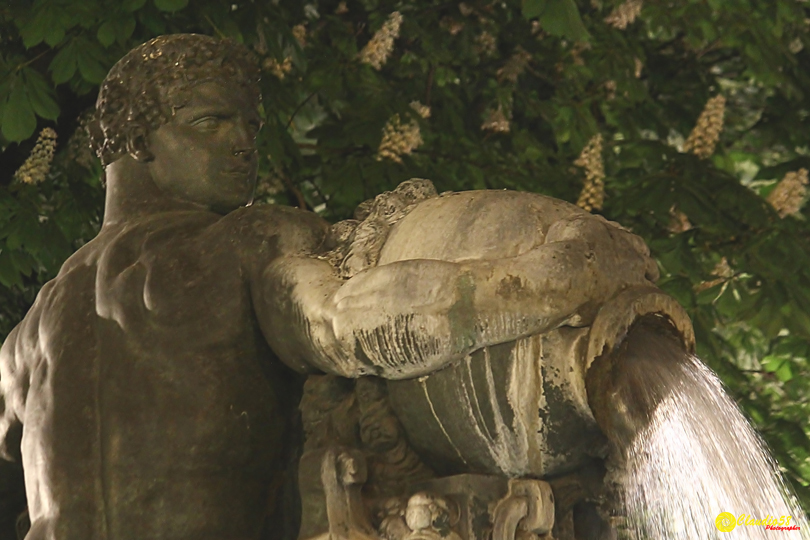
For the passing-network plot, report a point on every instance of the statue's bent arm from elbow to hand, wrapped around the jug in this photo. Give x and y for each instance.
(412, 317)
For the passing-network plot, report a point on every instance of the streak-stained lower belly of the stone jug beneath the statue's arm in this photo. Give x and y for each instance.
(518, 409)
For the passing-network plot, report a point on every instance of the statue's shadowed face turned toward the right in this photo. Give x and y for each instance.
(206, 154)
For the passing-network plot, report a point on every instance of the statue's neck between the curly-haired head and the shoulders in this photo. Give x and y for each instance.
(132, 194)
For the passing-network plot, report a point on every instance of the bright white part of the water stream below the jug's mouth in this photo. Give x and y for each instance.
(698, 458)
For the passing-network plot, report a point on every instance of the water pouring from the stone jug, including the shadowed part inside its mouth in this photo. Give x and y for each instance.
(693, 468)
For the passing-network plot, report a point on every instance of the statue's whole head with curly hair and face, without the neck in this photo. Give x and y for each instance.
(186, 105)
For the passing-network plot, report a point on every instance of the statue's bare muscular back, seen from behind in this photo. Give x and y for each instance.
(154, 410)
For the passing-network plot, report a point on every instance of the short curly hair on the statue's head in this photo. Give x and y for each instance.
(154, 78)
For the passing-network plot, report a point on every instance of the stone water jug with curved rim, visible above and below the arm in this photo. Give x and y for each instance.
(519, 408)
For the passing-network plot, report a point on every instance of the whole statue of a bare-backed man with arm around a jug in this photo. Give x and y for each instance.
(144, 392)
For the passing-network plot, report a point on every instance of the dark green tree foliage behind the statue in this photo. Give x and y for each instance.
(324, 123)
